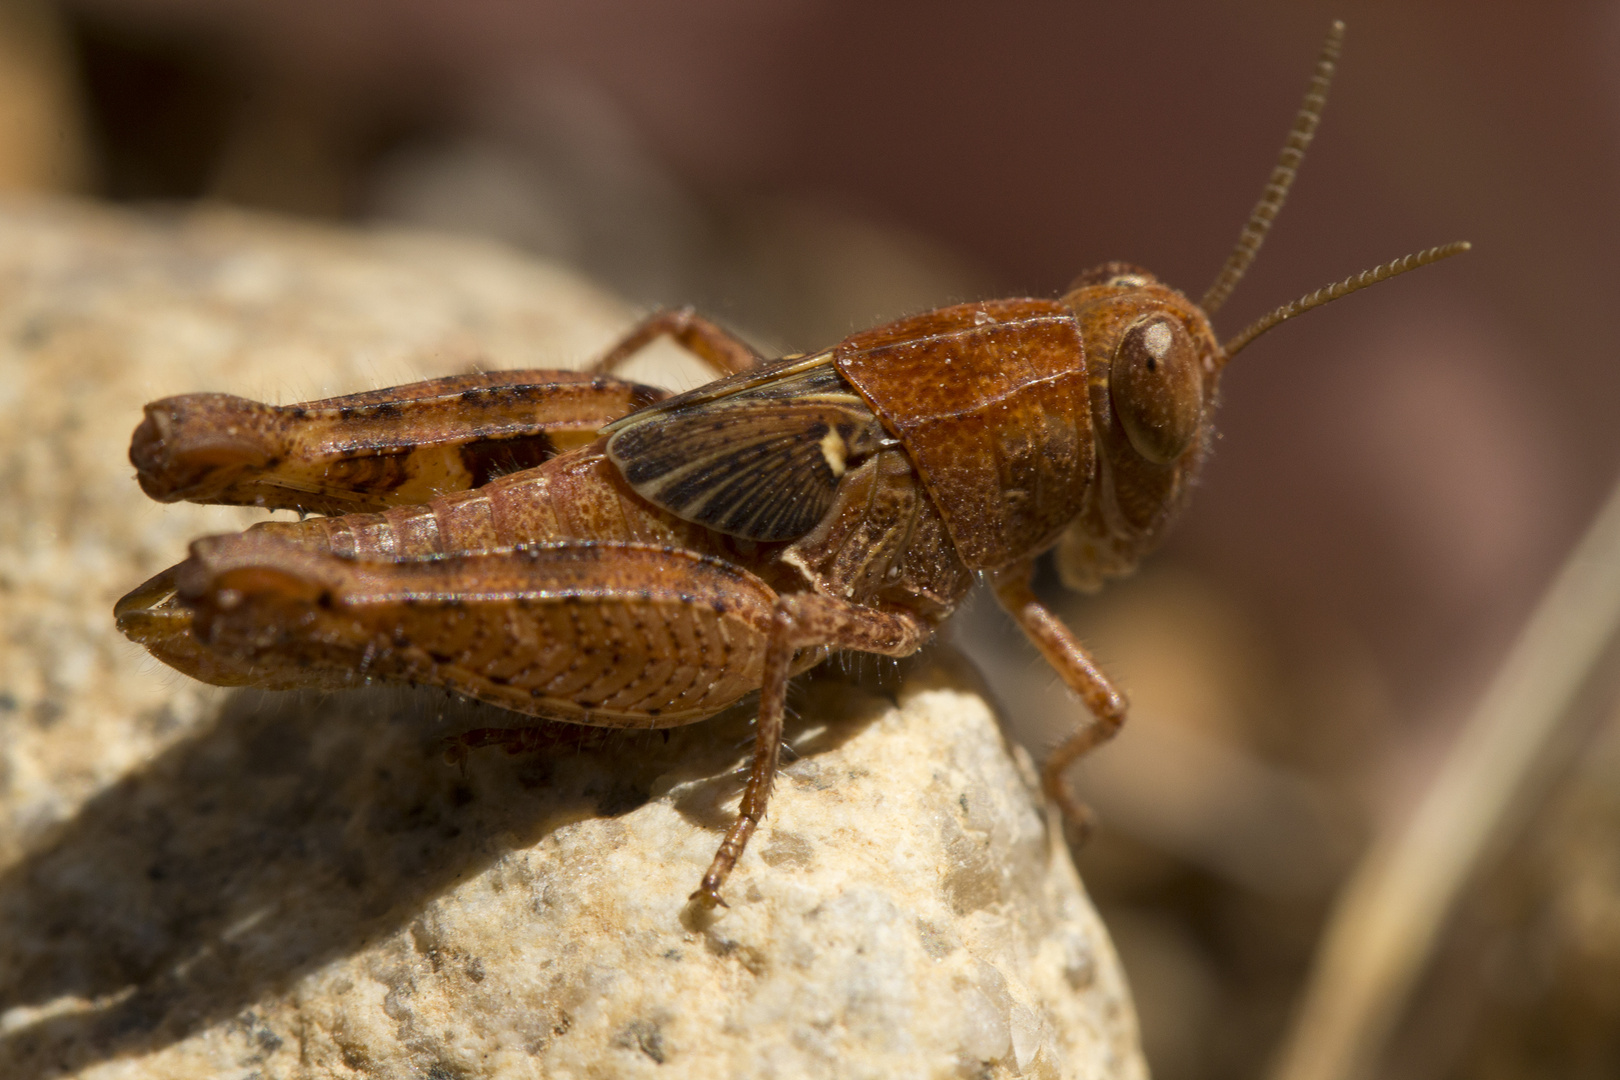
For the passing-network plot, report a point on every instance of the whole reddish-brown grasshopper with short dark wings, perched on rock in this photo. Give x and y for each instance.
(587, 550)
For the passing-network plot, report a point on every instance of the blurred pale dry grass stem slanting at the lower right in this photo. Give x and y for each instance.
(1396, 903)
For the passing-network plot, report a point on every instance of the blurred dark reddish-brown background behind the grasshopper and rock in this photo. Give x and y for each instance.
(1397, 477)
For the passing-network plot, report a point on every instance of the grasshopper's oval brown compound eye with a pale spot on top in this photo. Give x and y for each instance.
(1157, 389)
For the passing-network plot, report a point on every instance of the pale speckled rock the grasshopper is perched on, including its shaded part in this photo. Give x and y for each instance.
(198, 883)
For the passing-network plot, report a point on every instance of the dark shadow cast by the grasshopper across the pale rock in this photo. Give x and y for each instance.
(286, 835)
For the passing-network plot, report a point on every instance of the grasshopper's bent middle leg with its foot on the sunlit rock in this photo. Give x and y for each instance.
(801, 623)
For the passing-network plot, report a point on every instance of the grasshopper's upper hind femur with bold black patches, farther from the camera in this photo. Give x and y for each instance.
(373, 451)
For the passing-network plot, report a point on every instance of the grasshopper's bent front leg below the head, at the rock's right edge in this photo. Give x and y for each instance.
(1080, 671)
